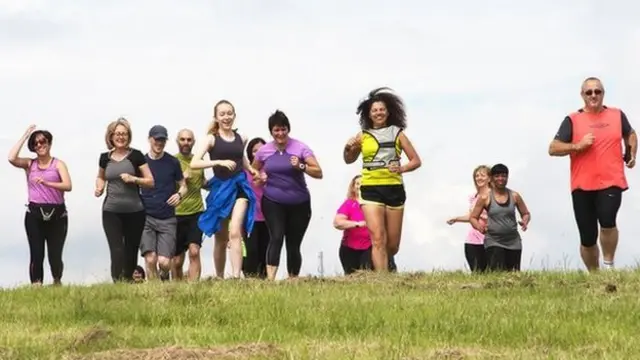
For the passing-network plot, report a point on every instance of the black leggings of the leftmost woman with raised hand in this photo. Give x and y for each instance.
(53, 232)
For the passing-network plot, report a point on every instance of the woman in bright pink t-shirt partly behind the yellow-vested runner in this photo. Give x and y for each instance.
(355, 248)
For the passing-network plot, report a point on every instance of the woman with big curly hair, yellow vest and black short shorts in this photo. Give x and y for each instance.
(382, 195)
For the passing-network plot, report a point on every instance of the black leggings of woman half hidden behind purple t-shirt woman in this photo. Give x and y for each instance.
(255, 264)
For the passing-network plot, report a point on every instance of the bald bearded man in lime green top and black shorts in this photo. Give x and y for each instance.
(189, 235)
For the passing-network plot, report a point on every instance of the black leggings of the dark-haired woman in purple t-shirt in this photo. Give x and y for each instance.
(287, 225)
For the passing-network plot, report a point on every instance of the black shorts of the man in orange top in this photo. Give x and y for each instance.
(594, 207)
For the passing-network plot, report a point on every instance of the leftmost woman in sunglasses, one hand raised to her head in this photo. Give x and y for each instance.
(46, 218)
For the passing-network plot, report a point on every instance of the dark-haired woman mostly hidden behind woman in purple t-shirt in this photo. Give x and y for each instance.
(254, 265)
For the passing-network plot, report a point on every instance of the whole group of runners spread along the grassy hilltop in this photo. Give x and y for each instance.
(258, 198)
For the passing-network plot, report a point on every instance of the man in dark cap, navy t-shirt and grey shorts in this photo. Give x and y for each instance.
(158, 243)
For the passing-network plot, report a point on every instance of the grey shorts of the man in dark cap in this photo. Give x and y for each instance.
(159, 236)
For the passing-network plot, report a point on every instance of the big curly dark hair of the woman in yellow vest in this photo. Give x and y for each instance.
(395, 108)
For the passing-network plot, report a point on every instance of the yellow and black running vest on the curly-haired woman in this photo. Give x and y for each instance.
(380, 147)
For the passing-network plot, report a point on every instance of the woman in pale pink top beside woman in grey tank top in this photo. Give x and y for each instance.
(474, 245)
